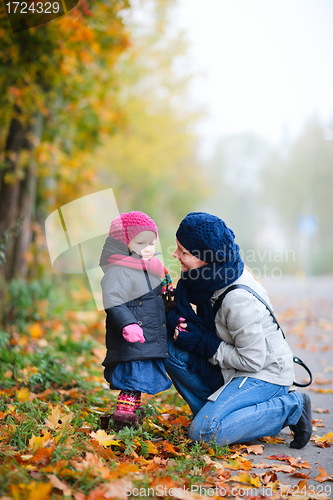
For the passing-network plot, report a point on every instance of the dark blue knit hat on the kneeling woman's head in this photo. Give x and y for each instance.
(207, 237)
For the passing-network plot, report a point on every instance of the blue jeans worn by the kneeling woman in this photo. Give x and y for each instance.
(239, 414)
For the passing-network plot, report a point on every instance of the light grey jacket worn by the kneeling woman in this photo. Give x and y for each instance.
(251, 345)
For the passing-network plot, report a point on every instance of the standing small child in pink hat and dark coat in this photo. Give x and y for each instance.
(136, 337)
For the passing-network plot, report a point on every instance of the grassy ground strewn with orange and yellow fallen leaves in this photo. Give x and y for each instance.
(51, 442)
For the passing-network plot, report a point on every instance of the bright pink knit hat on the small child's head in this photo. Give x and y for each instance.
(125, 227)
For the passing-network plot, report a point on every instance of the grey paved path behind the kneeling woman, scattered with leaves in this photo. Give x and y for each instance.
(305, 311)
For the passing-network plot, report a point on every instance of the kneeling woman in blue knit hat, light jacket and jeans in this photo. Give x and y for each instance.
(234, 368)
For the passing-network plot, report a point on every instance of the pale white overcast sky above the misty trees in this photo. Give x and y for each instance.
(267, 63)
